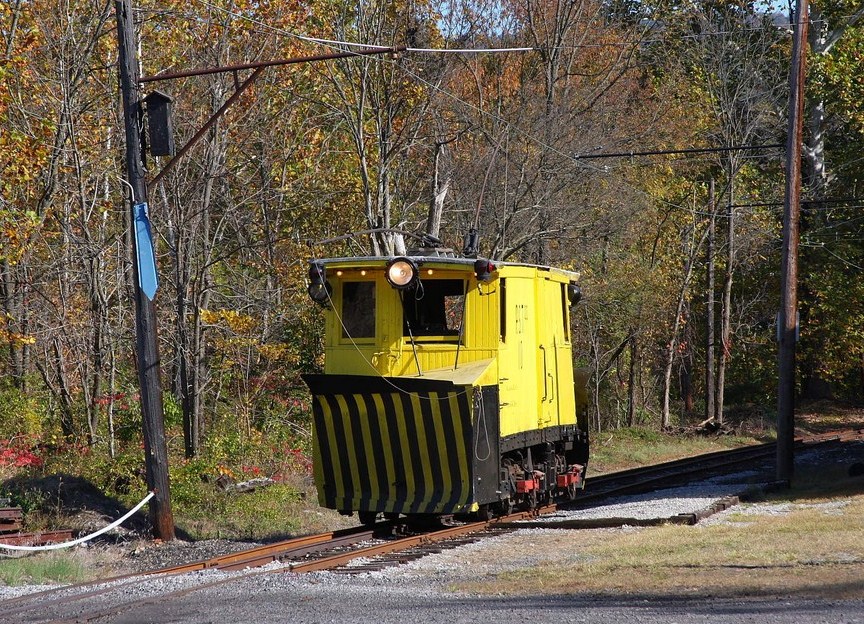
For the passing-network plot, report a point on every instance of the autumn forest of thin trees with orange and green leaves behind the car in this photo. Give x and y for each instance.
(679, 248)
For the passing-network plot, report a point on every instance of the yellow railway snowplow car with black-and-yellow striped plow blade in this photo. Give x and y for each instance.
(448, 386)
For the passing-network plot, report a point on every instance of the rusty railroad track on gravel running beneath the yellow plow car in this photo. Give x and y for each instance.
(339, 551)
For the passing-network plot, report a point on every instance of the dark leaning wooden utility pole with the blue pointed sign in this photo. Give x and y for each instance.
(147, 349)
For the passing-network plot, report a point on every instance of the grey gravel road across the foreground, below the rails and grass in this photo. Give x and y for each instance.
(384, 599)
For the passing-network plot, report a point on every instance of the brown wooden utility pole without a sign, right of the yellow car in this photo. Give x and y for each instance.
(788, 319)
